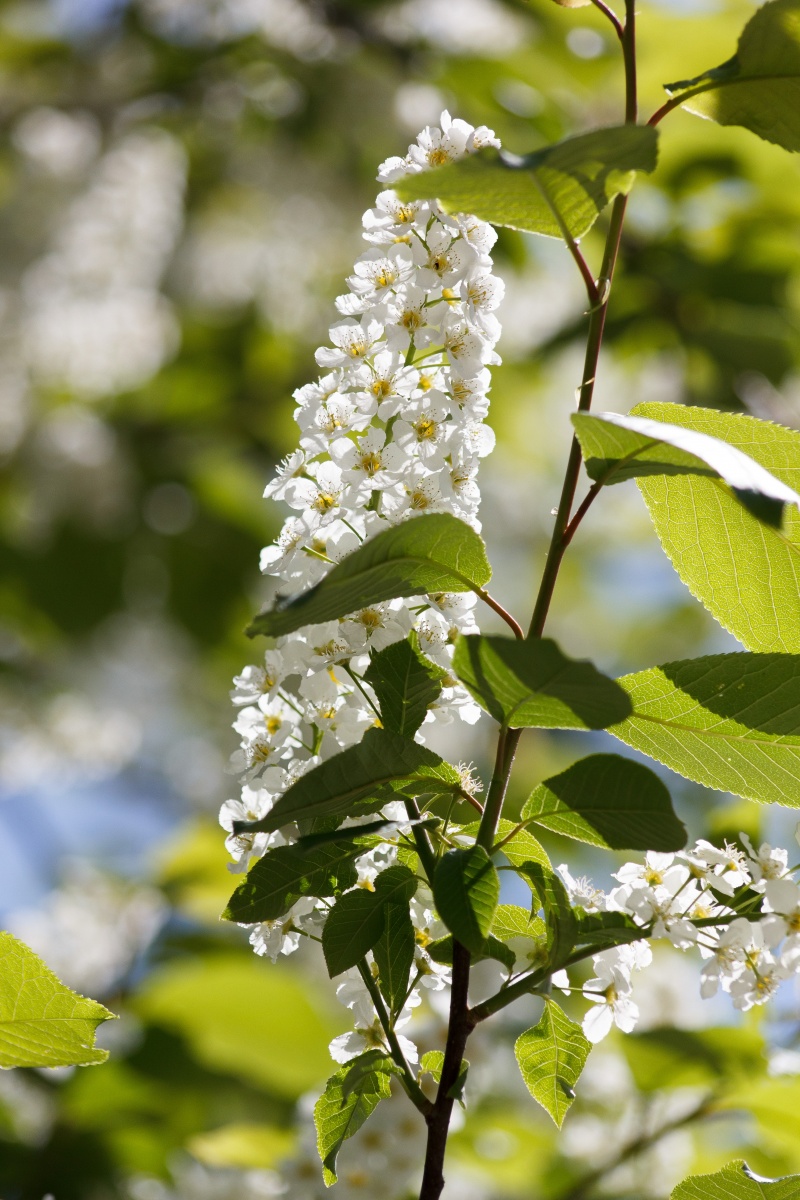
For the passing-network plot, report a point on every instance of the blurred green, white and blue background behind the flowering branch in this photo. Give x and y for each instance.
(182, 185)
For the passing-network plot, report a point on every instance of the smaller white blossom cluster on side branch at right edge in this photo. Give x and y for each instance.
(739, 909)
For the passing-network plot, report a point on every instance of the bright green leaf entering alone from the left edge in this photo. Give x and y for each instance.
(43, 1022)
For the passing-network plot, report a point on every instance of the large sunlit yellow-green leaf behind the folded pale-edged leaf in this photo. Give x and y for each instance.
(744, 573)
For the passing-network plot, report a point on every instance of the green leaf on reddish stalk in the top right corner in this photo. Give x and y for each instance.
(760, 87)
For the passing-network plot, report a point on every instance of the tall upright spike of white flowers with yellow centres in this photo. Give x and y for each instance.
(393, 430)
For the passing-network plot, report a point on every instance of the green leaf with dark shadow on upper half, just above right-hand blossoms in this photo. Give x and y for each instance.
(731, 722)
